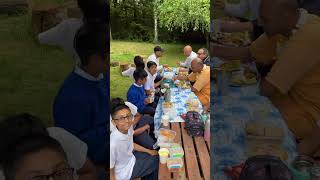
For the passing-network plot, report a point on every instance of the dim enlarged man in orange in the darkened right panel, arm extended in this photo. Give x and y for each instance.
(290, 46)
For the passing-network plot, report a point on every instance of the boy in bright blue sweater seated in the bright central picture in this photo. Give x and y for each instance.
(137, 95)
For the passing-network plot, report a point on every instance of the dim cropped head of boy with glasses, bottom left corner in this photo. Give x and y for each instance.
(36, 157)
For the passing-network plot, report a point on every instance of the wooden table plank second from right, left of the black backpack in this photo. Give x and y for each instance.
(190, 154)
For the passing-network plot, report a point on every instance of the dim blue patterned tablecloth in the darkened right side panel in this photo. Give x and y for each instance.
(230, 114)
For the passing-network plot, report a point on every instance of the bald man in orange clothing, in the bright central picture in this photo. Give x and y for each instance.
(201, 77)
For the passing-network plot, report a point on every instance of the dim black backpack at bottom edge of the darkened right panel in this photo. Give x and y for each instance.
(265, 167)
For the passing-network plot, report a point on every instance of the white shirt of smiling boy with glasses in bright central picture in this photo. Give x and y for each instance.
(121, 154)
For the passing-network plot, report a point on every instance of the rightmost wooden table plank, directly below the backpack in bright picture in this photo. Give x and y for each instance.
(203, 155)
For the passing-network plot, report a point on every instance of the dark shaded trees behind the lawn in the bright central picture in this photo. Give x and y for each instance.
(134, 21)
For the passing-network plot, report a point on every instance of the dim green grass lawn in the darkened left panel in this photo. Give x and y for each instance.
(30, 74)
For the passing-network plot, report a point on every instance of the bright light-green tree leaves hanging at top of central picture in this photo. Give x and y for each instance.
(184, 14)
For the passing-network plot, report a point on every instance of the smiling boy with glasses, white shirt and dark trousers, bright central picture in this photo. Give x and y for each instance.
(127, 159)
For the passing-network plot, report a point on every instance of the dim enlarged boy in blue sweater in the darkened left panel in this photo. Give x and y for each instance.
(81, 106)
